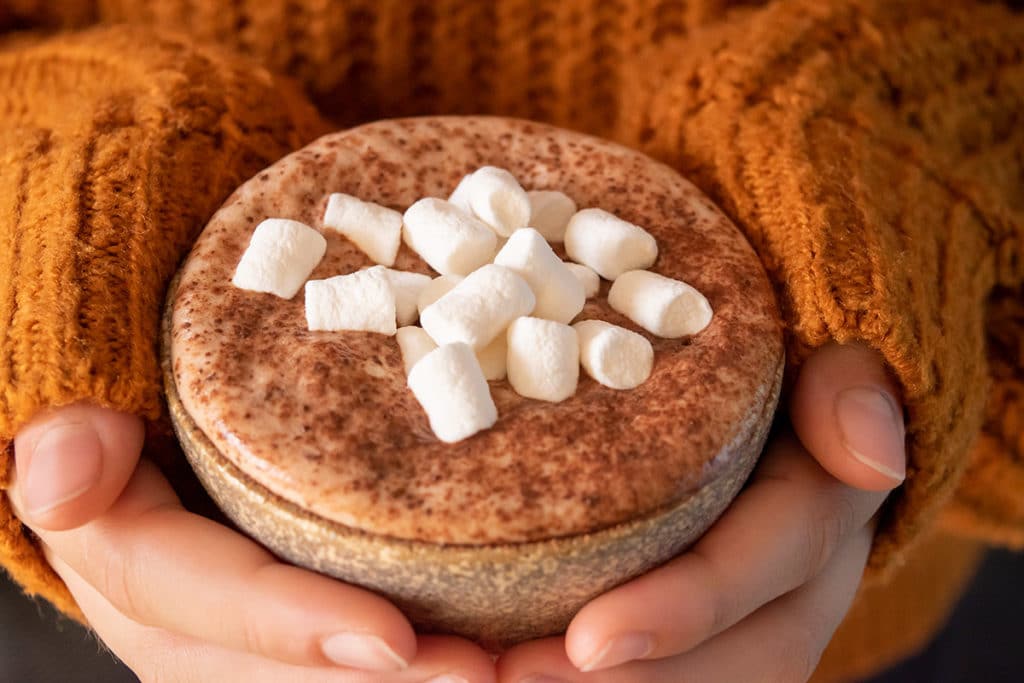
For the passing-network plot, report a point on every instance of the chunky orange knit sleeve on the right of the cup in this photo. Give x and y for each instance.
(872, 153)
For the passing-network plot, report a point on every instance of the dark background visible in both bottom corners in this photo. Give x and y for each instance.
(984, 644)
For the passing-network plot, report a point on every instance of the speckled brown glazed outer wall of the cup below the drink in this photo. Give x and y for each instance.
(499, 594)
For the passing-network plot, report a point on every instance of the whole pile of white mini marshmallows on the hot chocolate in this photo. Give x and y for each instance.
(503, 303)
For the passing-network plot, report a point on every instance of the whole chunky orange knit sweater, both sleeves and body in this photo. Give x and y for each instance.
(872, 152)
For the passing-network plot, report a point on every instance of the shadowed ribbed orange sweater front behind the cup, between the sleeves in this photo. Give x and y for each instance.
(366, 60)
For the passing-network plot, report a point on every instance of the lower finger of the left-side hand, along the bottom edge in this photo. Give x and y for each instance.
(157, 655)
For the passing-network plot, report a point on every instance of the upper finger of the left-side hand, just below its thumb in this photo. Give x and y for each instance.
(163, 567)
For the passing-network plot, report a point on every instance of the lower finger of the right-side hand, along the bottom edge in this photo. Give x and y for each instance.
(782, 643)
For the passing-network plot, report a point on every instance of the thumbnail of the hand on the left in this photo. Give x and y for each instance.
(67, 461)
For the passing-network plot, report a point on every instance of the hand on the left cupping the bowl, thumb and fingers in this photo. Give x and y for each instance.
(180, 597)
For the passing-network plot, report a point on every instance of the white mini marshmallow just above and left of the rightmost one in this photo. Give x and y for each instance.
(608, 244)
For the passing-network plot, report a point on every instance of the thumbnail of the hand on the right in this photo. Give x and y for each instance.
(873, 431)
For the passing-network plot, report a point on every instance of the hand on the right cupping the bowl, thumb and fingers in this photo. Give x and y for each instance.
(759, 597)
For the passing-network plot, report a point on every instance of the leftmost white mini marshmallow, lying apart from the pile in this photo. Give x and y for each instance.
(281, 257)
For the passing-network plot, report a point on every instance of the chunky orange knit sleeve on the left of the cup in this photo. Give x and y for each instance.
(102, 139)
